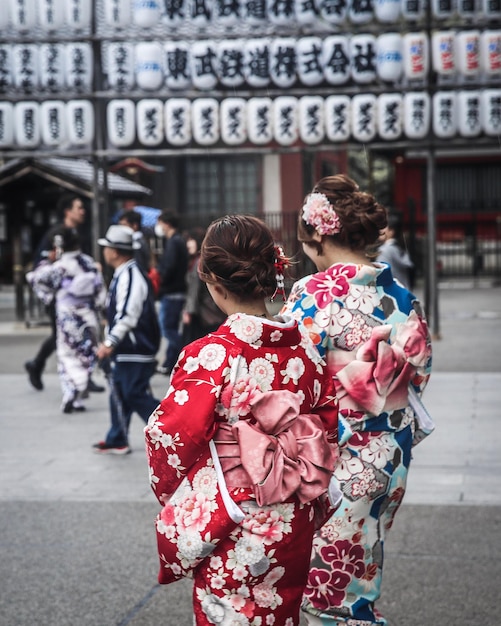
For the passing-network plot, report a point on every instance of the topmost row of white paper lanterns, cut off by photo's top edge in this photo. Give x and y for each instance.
(53, 15)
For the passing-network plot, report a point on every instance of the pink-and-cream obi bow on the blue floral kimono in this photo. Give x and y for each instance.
(376, 376)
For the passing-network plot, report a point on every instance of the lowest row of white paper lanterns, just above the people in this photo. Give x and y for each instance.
(233, 121)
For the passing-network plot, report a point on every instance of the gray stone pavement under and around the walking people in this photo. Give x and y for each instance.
(77, 538)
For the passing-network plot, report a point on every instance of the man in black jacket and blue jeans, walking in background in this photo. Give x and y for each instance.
(172, 267)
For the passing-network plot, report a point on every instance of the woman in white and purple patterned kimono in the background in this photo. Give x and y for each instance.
(75, 282)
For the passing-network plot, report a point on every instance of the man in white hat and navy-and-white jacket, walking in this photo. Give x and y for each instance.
(132, 340)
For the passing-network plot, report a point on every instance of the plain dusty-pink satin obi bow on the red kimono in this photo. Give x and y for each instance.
(284, 453)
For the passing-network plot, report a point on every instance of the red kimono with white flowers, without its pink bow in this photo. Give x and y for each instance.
(255, 576)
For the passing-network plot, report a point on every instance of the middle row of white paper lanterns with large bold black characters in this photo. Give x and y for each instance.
(257, 63)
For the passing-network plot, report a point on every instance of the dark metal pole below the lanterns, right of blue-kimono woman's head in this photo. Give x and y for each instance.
(432, 279)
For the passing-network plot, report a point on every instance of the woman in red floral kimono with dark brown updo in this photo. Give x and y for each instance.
(258, 389)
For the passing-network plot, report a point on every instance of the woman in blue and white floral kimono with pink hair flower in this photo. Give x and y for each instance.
(374, 337)
